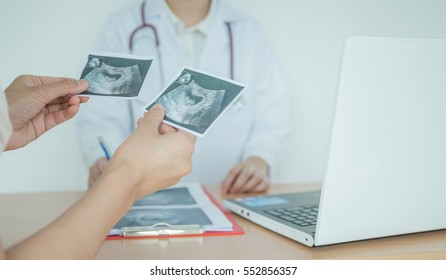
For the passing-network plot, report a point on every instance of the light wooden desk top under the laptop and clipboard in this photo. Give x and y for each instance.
(23, 214)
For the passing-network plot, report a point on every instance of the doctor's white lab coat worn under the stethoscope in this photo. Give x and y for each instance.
(260, 128)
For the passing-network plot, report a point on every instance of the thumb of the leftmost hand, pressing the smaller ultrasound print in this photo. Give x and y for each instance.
(61, 88)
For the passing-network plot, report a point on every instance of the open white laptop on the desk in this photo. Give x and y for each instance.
(386, 163)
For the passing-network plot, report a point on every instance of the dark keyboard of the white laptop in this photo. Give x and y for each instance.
(301, 215)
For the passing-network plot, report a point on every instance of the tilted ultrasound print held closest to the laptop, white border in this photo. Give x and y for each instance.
(195, 100)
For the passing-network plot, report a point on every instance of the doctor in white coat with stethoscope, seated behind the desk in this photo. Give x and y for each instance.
(243, 150)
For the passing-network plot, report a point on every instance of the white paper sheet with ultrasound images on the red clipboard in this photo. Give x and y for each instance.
(183, 204)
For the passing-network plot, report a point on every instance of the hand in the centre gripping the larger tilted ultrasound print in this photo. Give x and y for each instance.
(153, 160)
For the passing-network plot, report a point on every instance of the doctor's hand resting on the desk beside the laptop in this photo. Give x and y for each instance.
(250, 175)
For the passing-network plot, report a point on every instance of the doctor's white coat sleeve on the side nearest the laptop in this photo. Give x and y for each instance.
(270, 137)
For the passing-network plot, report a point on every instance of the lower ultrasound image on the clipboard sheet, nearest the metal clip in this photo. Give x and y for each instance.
(176, 216)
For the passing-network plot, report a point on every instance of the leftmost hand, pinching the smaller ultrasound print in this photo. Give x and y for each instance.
(37, 104)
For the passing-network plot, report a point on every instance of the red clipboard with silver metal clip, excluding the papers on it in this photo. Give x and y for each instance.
(164, 230)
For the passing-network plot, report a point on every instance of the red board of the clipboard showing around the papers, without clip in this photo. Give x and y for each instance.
(236, 228)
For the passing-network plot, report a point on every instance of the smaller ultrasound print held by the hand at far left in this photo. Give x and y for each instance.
(121, 76)
